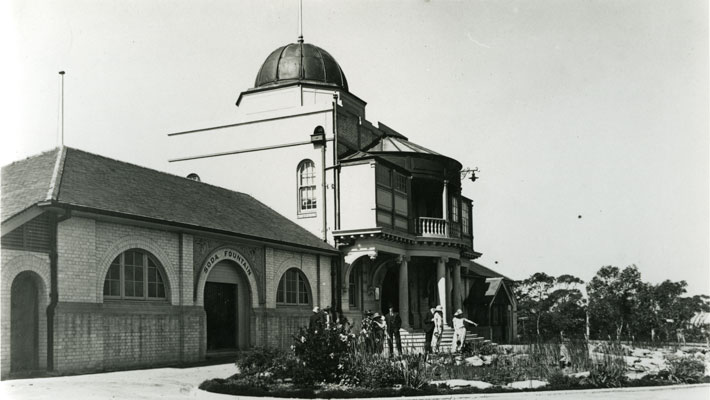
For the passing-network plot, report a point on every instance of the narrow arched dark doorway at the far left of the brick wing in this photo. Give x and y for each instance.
(24, 320)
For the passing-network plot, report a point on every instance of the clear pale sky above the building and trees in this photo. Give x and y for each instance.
(587, 119)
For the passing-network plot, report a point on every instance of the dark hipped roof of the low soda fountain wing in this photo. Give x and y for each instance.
(90, 182)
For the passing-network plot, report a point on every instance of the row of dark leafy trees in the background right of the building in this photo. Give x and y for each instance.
(619, 305)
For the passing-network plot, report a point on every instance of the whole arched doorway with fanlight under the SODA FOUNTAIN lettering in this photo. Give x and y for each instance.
(227, 301)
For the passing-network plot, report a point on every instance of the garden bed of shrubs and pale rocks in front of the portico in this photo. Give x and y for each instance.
(335, 364)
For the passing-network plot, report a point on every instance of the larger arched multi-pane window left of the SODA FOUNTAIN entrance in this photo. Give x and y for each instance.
(134, 275)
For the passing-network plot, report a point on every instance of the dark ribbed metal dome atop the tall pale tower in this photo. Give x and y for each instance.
(300, 62)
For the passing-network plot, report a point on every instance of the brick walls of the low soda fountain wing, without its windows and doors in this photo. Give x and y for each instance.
(93, 334)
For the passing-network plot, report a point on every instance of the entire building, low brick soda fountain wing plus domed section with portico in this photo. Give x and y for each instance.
(110, 265)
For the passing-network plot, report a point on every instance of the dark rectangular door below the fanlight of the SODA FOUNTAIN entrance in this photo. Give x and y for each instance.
(221, 310)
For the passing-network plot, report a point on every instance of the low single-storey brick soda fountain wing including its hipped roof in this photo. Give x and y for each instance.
(108, 265)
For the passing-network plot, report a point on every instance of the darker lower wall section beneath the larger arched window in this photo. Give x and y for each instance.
(95, 337)
